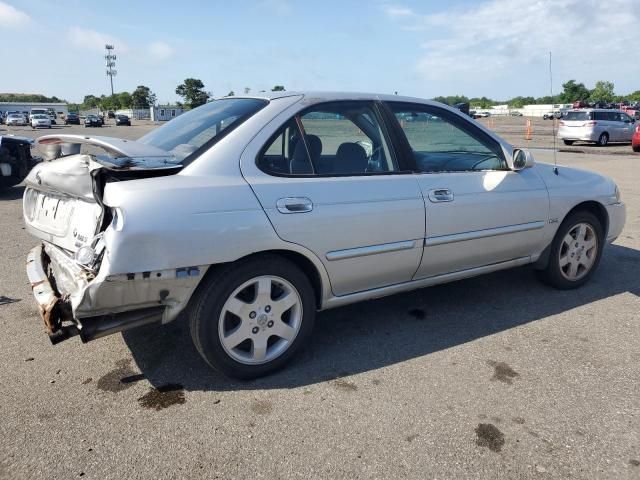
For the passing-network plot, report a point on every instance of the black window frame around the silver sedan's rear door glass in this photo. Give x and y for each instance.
(382, 123)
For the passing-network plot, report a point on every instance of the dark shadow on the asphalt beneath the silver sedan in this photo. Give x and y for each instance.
(374, 334)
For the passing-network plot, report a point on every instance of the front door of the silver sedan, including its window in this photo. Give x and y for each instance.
(478, 211)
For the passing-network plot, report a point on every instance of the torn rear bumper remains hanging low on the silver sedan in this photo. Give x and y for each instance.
(56, 308)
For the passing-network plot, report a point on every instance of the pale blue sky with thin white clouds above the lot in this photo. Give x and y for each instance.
(494, 48)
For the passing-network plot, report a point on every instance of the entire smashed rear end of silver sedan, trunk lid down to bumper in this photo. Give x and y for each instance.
(74, 287)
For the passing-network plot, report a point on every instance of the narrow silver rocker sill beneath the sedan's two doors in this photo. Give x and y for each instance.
(421, 283)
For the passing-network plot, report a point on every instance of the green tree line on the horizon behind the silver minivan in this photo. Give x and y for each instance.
(572, 91)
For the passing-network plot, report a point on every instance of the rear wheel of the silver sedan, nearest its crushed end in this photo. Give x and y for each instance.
(250, 318)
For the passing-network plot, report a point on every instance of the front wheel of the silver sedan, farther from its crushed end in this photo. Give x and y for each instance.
(575, 251)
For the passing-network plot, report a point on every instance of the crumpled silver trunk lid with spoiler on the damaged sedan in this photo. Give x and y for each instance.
(62, 201)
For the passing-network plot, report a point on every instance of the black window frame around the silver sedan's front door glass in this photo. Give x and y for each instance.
(452, 118)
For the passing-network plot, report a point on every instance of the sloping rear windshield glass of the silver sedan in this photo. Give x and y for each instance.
(185, 134)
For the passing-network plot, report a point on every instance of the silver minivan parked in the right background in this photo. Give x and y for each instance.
(596, 125)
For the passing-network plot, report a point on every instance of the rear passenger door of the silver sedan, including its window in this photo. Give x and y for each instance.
(329, 180)
